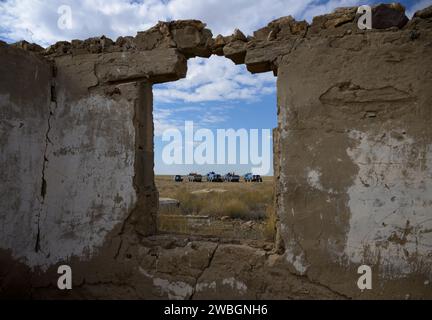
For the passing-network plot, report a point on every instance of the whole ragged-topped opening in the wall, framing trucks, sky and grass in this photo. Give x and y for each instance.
(214, 152)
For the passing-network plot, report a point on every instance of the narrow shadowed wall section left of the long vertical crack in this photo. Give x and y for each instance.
(25, 104)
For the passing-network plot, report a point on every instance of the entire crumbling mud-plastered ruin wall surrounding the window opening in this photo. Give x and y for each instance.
(352, 163)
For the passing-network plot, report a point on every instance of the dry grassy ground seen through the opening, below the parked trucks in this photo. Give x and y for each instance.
(226, 210)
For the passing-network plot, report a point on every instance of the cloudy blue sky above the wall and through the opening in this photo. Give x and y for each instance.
(216, 94)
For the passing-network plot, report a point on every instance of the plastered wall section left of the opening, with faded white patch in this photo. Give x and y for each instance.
(77, 164)
